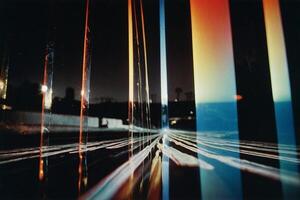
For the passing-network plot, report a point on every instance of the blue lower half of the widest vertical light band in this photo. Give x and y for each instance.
(216, 118)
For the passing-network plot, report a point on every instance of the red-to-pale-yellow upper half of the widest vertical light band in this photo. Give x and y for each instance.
(214, 75)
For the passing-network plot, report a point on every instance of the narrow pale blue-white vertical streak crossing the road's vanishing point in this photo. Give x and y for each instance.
(164, 99)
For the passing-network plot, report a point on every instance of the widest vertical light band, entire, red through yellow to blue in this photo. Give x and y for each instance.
(215, 89)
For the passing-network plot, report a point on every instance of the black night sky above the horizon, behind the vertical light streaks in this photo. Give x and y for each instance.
(25, 28)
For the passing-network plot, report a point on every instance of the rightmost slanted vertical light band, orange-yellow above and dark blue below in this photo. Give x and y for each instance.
(280, 82)
